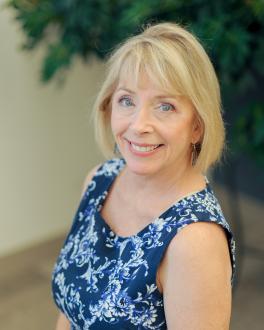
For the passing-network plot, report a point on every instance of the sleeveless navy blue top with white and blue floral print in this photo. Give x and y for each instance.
(105, 281)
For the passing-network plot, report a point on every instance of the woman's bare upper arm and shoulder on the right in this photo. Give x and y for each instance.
(196, 278)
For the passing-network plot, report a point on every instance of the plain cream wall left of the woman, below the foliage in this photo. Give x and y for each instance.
(46, 142)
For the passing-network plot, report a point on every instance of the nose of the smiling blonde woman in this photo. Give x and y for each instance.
(141, 121)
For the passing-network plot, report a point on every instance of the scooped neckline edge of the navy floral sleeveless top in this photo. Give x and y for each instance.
(144, 229)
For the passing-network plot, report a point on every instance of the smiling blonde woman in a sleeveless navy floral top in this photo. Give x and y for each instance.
(149, 247)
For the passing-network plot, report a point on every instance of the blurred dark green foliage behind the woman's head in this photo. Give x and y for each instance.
(230, 30)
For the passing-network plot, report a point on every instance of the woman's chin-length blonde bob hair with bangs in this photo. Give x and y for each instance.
(174, 58)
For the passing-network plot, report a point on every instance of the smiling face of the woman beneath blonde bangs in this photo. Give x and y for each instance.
(153, 130)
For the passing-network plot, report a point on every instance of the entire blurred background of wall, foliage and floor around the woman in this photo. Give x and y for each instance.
(52, 63)
